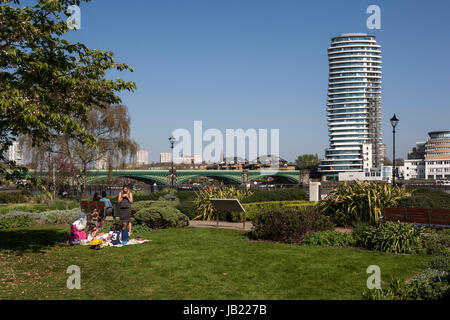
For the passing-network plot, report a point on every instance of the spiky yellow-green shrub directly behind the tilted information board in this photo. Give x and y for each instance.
(205, 209)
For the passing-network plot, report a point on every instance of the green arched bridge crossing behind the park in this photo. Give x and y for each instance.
(182, 176)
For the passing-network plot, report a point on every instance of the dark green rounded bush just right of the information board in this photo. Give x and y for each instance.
(287, 225)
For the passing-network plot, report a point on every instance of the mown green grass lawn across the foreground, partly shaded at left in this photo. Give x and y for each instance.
(189, 263)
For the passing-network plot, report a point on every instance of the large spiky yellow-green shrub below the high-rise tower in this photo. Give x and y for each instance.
(360, 201)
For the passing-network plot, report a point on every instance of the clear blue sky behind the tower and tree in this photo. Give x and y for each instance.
(263, 64)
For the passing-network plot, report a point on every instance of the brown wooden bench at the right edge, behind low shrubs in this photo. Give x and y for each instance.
(433, 218)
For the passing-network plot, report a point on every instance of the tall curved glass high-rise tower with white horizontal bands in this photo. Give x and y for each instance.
(353, 105)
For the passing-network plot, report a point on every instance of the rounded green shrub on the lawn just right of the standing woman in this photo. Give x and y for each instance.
(161, 217)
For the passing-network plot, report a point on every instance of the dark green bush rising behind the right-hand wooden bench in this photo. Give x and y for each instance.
(426, 198)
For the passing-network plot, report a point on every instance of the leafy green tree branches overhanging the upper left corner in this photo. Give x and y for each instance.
(47, 84)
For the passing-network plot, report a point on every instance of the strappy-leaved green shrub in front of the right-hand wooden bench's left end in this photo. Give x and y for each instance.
(392, 237)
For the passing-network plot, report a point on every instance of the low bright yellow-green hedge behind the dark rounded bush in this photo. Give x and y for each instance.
(252, 208)
